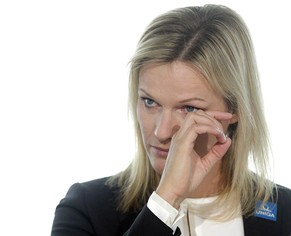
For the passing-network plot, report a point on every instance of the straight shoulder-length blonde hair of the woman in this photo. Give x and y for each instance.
(216, 41)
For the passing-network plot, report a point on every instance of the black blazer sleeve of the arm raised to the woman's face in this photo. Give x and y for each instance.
(78, 214)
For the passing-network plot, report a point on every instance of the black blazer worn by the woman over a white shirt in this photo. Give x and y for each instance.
(89, 209)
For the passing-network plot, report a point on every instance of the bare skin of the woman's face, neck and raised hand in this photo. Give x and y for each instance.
(182, 121)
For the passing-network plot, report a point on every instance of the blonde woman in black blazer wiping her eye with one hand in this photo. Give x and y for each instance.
(196, 105)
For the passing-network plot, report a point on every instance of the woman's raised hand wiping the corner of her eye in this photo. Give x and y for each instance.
(186, 168)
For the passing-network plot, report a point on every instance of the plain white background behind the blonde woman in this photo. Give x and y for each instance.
(63, 91)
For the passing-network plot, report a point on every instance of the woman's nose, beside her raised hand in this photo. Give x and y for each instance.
(166, 126)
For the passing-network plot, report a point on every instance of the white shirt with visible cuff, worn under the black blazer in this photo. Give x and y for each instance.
(191, 224)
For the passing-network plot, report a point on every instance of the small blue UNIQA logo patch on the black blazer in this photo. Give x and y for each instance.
(267, 211)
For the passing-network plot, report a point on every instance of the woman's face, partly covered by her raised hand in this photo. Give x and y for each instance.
(166, 94)
